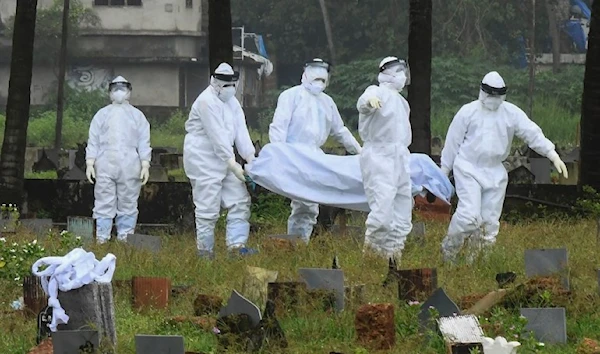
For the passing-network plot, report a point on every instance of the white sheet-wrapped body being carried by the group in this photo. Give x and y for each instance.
(302, 173)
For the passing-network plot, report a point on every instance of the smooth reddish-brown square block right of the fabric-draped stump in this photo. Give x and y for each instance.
(150, 292)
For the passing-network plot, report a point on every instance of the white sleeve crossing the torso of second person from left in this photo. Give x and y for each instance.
(210, 117)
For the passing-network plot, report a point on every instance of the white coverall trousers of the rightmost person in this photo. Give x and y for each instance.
(481, 191)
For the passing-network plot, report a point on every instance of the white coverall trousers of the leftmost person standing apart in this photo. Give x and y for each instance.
(116, 192)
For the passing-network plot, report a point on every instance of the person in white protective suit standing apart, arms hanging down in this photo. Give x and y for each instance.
(118, 157)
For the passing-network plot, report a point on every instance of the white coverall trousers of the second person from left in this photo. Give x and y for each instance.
(213, 187)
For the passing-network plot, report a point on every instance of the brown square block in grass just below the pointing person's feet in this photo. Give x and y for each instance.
(416, 284)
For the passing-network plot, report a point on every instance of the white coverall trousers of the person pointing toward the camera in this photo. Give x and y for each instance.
(385, 171)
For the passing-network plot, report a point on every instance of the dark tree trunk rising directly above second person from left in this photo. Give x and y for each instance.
(220, 41)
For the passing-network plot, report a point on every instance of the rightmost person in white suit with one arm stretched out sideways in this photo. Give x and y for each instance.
(478, 141)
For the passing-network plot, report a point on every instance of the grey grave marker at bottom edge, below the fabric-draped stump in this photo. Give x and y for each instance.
(75, 342)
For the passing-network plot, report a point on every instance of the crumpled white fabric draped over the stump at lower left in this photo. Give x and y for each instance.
(72, 271)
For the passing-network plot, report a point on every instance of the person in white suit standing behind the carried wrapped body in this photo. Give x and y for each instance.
(306, 115)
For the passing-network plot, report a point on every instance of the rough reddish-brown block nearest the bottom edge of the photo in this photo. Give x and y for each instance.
(375, 326)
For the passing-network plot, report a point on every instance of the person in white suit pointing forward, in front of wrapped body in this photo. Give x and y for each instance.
(384, 127)
